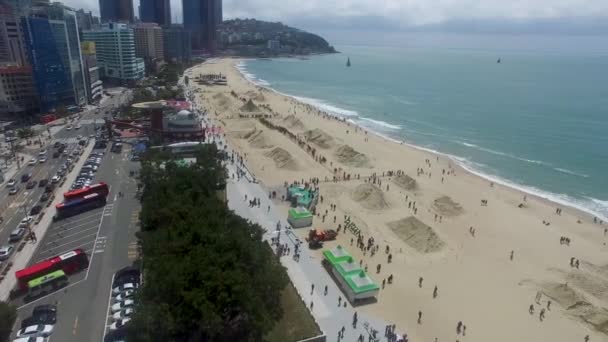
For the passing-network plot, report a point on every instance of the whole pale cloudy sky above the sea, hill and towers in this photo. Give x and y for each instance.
(562, 16)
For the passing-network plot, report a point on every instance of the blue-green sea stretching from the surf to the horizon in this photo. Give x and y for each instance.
(537, 121)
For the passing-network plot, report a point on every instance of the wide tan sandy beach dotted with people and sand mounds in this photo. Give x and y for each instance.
(491, 251)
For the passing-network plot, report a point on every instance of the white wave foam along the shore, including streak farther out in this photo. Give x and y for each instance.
(592, 206)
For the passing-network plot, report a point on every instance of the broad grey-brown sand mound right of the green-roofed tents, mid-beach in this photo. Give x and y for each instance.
(417, 234)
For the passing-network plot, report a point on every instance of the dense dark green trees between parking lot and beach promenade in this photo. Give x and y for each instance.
(208, 276)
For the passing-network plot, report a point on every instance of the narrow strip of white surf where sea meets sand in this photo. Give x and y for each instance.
(538, 194)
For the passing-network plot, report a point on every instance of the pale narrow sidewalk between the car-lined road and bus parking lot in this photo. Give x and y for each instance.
(22, 258)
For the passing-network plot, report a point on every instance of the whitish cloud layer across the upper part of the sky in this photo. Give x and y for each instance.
(400, 12)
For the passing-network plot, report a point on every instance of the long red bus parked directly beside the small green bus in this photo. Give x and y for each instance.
(70, 263)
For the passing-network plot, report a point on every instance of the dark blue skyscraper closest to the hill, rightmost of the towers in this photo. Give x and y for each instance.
(201, 18)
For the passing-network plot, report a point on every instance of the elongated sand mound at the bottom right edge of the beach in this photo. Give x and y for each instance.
(576, 305)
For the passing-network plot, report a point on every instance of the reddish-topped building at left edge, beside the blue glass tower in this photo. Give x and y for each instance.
(17, 92)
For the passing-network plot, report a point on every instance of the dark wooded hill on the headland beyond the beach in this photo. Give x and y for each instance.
(251, 37)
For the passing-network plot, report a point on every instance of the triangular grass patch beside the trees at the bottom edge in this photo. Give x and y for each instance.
(297, 323)
